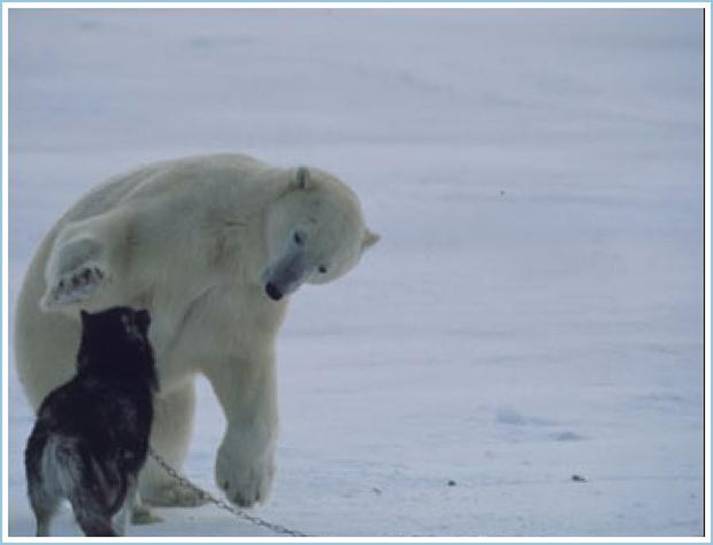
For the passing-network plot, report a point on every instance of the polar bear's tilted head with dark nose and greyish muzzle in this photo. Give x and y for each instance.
(315, 233)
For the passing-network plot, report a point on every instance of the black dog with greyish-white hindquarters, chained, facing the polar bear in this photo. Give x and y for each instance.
(92, 434)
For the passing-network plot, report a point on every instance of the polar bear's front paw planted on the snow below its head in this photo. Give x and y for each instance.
(244, 484)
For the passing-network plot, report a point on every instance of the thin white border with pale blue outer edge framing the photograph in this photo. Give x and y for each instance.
(5, 538)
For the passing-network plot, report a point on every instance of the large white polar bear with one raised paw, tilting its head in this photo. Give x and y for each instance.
(212, 246)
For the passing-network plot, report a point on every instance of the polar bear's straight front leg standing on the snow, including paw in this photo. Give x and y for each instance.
(245, 463)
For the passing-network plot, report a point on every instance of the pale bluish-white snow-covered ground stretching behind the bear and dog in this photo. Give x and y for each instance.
(534, 309)
